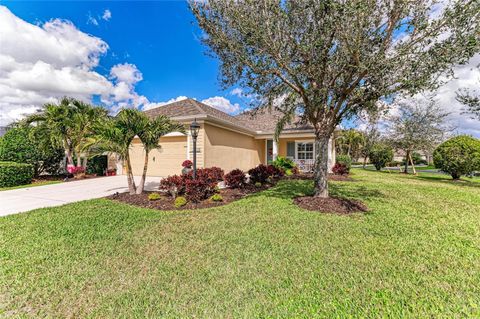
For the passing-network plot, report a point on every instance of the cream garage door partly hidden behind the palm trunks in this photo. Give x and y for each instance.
(167, 160)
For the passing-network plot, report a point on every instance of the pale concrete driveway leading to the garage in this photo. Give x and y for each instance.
(25, 199)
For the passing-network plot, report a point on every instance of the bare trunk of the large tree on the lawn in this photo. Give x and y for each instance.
(321, 166)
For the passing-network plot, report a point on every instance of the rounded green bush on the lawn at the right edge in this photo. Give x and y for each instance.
(458, 156)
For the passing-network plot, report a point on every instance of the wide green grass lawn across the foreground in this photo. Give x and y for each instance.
(416, 254)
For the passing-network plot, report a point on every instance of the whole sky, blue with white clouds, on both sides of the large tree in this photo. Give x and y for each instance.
(121, 54)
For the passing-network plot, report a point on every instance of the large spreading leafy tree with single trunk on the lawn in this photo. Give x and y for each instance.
(326, 61)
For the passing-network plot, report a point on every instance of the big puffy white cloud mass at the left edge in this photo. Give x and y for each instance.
(41, 63)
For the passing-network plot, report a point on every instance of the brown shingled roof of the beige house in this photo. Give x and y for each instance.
(259, 122)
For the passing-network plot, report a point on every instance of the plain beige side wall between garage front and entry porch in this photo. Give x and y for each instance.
(229, 150)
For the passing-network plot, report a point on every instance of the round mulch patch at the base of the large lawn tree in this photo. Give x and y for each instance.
(342, 206)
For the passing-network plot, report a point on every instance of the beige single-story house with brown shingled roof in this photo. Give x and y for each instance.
(225, 141)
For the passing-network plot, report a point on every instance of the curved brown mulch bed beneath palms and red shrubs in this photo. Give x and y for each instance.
(166, 202)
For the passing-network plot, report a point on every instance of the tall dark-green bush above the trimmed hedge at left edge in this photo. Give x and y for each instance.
(22, 144)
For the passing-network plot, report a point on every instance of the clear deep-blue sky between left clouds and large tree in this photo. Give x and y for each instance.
(159, 37)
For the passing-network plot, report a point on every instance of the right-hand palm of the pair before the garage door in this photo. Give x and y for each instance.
(150, 135)
